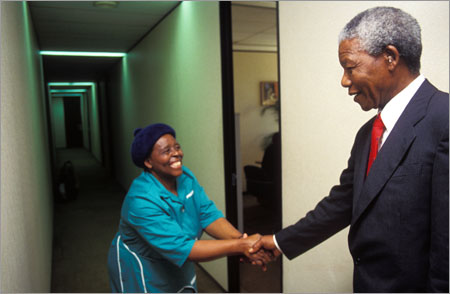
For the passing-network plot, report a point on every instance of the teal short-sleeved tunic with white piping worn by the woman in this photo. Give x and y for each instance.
(156, 233)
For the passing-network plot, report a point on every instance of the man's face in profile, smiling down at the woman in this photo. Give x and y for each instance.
(367, 77)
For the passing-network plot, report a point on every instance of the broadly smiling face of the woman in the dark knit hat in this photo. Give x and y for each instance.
(165, 160)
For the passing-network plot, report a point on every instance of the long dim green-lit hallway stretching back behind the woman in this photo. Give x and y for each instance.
(62, 246)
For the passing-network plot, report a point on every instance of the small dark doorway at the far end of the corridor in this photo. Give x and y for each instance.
(72, 119)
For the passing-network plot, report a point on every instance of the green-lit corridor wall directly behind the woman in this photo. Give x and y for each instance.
(173, 76)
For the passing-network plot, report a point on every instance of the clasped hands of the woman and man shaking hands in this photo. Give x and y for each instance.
(260, 250)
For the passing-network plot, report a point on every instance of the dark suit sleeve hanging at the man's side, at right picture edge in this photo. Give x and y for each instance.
(438, 271)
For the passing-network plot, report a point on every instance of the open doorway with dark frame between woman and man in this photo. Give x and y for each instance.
(252, 134)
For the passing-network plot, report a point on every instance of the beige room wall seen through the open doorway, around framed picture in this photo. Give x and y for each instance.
(251, 68)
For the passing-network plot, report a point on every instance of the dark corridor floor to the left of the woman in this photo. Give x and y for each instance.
(84, 228)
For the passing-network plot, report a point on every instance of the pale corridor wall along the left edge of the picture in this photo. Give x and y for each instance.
(26, 193)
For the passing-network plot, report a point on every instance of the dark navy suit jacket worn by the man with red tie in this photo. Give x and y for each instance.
(398, 215)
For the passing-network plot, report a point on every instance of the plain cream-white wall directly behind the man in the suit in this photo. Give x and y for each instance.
(319, 120)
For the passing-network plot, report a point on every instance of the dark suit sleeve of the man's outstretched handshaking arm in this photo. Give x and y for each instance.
(332, 214)
